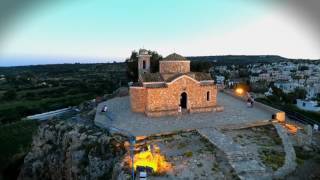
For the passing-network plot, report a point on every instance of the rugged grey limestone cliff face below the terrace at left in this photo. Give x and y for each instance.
(66, 150)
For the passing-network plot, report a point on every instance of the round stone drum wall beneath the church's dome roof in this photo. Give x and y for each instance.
(174, 67)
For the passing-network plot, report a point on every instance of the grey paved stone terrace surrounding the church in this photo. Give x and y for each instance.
(235, 112)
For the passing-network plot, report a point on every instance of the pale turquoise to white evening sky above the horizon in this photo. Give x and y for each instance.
(68, 31)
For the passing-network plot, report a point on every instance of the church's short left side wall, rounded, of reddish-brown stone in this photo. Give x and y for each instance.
(138, 99)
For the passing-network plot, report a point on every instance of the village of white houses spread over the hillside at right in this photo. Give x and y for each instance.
(288, 76)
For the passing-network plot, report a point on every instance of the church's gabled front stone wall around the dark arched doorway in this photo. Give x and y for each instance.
(166, 101)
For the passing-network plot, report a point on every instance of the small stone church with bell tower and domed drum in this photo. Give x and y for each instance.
(173, 90)
